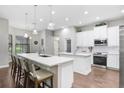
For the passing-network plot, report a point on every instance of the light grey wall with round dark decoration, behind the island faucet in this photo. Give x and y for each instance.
(48, 38)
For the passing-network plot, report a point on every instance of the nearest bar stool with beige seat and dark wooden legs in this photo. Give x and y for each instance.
(39, 77)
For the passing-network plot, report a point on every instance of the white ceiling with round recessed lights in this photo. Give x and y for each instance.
(16, 14)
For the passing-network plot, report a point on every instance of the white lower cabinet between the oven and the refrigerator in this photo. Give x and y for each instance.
(113, 61)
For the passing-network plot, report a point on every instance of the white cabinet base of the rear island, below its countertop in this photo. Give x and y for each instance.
(81, 64)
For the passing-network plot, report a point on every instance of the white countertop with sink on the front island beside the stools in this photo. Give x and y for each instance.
(48, 61)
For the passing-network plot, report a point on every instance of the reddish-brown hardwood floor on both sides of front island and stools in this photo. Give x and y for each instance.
(98, 78)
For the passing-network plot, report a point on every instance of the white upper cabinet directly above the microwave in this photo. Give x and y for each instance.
(100, 32)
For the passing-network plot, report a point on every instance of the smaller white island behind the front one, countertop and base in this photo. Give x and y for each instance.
(82, 61)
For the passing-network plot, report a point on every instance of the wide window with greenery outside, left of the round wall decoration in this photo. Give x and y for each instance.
(22, 45)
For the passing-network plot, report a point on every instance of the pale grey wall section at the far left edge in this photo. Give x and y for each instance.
(3, 42)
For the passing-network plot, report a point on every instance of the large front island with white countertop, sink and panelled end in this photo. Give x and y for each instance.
(62, 67)
